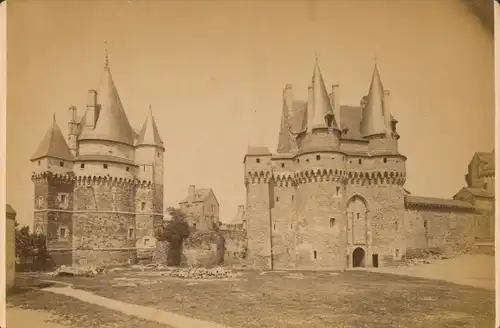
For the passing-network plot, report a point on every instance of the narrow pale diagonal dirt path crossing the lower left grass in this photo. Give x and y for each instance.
(143, 312)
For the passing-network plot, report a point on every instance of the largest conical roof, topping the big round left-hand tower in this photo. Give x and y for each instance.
(111, 122)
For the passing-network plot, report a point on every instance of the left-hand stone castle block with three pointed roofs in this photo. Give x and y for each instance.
(99, 196)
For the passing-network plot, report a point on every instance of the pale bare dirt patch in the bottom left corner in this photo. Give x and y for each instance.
(22, 318)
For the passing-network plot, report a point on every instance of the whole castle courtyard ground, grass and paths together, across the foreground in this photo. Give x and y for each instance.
(406, 297)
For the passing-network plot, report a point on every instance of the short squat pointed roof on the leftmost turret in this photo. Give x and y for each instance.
(53, 144)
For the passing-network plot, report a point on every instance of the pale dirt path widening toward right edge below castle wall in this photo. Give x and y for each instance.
(472, 270)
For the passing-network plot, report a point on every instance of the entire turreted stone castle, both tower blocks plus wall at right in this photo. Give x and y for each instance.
(331, 197)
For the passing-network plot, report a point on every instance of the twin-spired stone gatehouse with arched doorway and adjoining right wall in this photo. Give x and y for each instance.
(333, 196)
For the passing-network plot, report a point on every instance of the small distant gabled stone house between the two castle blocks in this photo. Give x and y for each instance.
(201, 207)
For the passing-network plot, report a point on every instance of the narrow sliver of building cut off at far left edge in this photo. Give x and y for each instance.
(10, 246)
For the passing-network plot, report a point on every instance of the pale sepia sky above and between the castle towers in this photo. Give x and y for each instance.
(214, 73)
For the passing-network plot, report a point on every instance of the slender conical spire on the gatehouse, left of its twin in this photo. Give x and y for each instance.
(322, 115)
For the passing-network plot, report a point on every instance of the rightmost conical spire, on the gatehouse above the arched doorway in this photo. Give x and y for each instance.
(372, 122)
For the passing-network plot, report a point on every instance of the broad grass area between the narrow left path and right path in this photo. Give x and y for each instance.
(319, 299)
